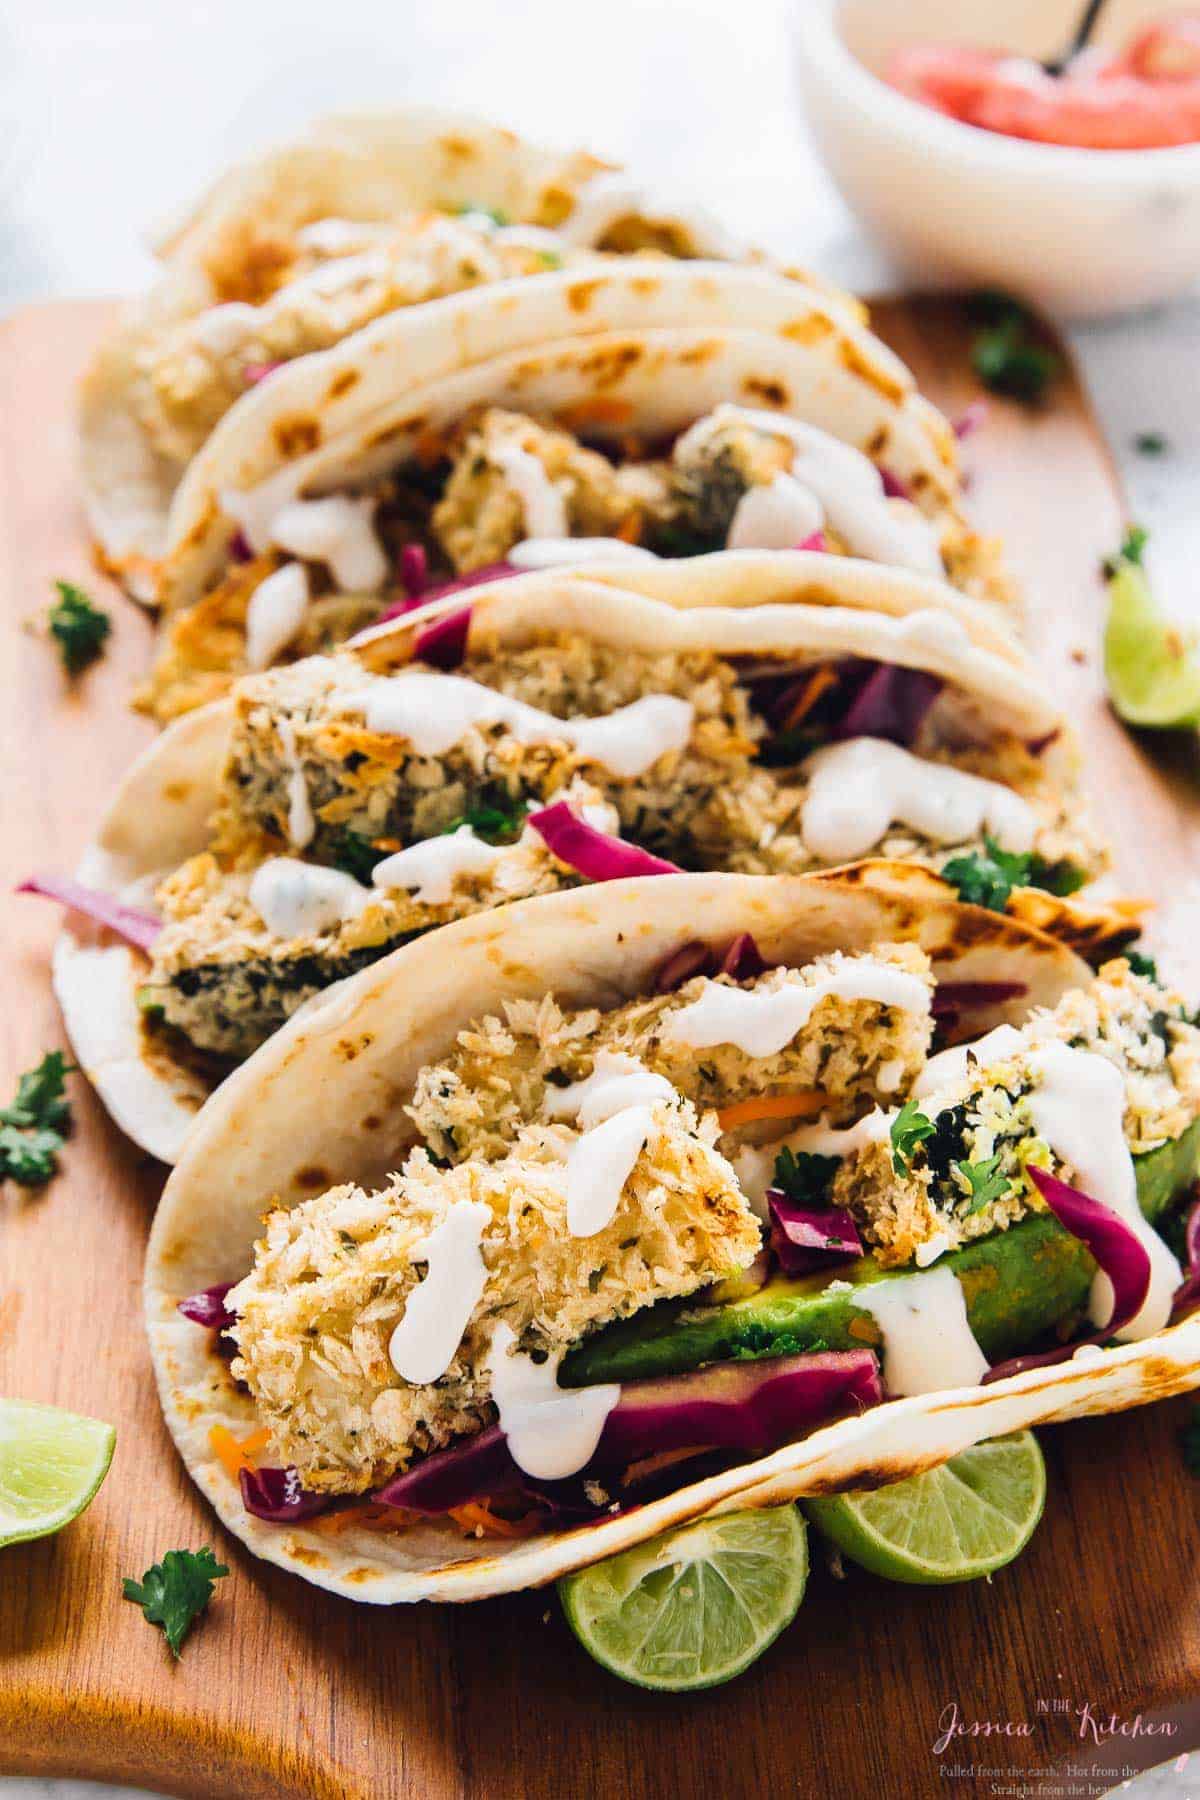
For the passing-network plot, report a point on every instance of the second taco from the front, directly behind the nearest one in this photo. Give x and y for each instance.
(559, 730)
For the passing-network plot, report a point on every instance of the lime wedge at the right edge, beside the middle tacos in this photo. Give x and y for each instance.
(1151, 665)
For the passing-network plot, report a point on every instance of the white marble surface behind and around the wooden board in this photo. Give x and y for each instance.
(112, 114)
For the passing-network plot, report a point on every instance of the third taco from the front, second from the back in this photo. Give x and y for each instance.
(627, 415)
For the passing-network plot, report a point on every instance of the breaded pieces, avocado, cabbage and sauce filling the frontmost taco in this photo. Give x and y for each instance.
(690, 1228)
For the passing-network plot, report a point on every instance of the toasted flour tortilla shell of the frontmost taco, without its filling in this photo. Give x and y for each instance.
(323, 1104)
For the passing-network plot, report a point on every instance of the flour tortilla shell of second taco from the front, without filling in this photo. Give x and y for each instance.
(746, 604)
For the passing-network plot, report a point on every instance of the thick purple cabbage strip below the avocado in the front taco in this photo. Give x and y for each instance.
(742, 1407)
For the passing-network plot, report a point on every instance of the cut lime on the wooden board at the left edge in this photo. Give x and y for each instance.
(51, 1466)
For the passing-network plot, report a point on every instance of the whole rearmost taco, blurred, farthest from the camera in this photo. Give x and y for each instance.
(307, 244)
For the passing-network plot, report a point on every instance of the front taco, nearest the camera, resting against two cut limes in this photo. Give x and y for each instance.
(614, 1209)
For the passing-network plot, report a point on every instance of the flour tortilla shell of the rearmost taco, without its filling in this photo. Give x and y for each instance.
(363, 168)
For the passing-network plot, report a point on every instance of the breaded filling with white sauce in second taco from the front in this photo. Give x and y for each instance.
(361, 809)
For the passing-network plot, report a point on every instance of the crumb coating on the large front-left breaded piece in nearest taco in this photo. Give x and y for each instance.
(332, 1279)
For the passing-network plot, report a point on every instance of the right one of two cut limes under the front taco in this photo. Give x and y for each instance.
(954, 1524)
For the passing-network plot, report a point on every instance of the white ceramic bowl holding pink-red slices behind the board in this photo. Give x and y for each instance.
(1075, 231)
